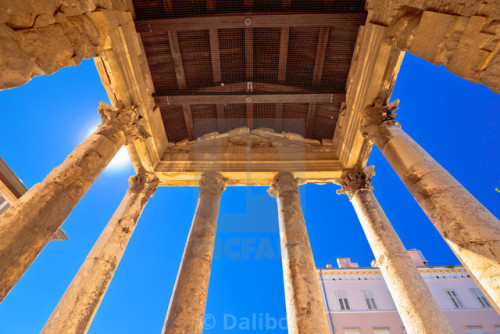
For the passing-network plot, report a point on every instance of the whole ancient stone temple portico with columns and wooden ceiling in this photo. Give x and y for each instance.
(202, 99)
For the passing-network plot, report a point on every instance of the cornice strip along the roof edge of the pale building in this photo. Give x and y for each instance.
(363, 274)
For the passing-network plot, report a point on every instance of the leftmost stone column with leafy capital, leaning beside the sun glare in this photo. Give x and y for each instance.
(31, 222)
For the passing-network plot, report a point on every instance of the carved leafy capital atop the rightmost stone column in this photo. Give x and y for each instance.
(377, 115)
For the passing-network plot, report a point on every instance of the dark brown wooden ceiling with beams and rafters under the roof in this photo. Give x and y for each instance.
(221, 64)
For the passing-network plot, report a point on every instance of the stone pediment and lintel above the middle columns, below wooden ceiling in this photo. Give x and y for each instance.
(249, 157)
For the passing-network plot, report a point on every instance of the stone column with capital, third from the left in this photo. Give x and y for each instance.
(186, 311)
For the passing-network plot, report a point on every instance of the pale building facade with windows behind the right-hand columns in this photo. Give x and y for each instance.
(358, 301)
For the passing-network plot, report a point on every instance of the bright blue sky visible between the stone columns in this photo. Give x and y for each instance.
(42, 122)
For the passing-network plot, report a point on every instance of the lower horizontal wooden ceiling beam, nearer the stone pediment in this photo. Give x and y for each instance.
(189, 97)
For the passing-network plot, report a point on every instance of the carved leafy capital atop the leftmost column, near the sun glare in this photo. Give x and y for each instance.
(126, 119)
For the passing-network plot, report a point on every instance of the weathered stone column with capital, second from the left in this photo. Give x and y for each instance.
(80, 302)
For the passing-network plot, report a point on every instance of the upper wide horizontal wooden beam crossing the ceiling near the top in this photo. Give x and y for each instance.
(250, 21)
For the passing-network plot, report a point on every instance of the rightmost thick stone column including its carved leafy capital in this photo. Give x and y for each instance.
(472, 232)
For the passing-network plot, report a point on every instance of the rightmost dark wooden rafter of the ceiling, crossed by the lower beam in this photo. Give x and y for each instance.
(319, 62)
